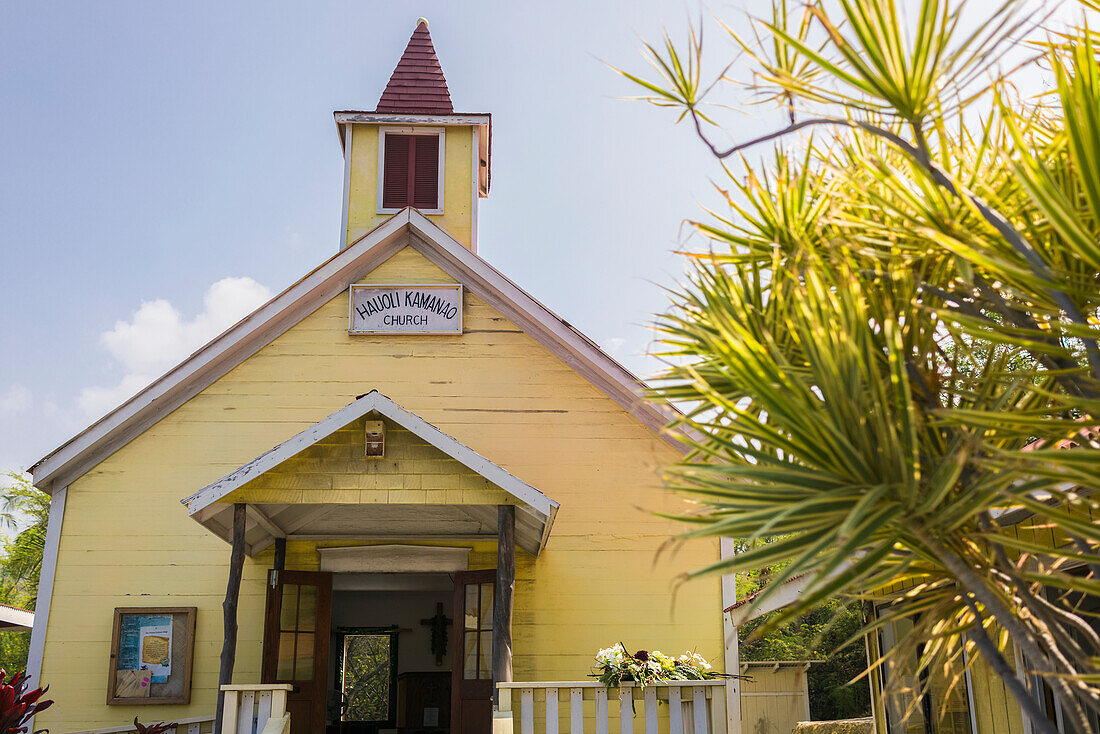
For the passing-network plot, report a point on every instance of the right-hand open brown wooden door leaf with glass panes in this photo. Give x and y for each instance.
(472, 664)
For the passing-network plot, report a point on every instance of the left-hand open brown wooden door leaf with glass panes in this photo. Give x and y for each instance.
(296, 644)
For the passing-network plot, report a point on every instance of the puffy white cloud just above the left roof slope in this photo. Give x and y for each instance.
(159, 337)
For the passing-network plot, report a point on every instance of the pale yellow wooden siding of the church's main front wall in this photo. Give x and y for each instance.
(127, 541)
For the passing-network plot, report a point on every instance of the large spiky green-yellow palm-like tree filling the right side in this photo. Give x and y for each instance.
(897, 327)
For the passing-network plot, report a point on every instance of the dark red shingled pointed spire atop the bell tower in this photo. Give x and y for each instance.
(417, 84)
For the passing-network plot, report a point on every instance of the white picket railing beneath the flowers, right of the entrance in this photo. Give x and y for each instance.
(691, 707)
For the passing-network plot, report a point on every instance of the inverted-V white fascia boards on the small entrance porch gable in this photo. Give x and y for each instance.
(373, 402)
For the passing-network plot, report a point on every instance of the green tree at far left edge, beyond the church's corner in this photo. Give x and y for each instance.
(24, 512)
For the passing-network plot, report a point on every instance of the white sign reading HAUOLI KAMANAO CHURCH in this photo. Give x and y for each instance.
(405, 310)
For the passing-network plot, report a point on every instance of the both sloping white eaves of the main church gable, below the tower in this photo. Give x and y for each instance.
(408, 228)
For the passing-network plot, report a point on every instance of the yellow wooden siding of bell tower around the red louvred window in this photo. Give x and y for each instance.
(458, 184)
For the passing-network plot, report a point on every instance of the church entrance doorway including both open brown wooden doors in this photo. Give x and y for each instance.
(383, 653)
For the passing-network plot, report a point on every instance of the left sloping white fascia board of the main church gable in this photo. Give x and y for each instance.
(218, 357)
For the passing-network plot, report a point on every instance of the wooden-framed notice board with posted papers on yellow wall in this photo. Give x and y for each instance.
(152, 650)
